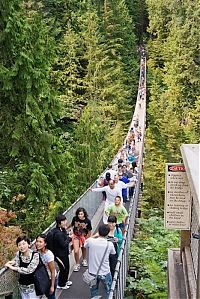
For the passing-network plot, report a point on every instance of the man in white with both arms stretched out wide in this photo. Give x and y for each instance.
(111, 192)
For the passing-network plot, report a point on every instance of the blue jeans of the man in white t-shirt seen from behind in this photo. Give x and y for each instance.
(107, 282)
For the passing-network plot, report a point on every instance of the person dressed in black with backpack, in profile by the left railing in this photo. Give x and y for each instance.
(58, 242)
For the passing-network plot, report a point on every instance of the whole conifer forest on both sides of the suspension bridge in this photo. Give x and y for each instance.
(69, 73)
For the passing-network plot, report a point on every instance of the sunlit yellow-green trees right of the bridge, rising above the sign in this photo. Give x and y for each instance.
(173, 75)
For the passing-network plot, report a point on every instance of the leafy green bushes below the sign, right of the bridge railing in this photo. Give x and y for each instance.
(148, 255)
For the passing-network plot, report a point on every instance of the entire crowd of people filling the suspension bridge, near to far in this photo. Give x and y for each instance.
(117, 187)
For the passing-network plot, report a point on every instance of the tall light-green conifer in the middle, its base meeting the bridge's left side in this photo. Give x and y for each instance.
(102, 90)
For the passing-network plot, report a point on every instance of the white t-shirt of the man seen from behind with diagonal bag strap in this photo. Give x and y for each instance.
(97, 247)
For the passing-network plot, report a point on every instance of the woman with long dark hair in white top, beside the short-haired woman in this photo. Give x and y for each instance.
(48, 259)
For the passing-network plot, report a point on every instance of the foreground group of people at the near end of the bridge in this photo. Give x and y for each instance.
(27, 259)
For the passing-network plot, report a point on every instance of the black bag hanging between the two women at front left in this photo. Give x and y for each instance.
(42, 280)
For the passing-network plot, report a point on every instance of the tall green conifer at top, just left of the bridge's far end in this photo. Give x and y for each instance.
(118, 34)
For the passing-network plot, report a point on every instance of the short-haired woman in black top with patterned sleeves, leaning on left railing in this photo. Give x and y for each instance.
(25, 263)
